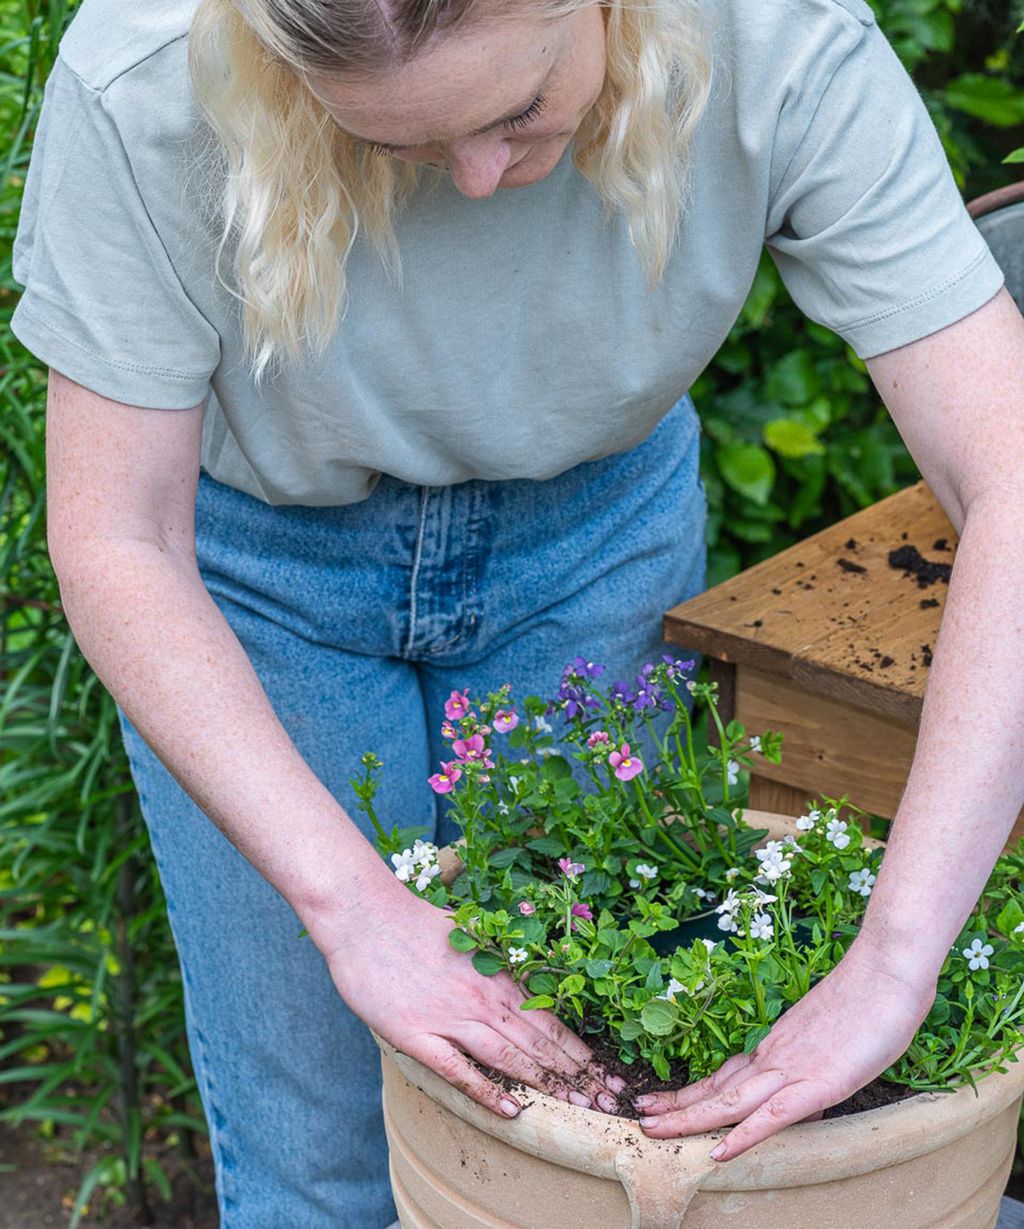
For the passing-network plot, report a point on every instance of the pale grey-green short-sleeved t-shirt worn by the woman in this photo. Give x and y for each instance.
(523, 339)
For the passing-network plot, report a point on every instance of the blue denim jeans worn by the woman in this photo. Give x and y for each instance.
(360, 621)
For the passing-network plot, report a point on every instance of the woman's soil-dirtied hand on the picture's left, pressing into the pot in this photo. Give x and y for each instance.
(400, 974)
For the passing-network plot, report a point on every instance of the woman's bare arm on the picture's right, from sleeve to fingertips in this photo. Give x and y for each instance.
(958, 401)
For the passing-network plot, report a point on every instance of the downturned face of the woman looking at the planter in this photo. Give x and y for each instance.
(497, 101)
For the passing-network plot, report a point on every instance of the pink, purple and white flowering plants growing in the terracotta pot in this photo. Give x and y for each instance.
(623, 889)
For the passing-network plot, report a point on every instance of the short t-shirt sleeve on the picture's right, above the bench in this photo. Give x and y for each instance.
(866, 223)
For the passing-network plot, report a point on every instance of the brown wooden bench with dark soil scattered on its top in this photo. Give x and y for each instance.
(830, 645)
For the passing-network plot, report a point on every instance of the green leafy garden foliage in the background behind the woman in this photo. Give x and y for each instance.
(92, 1023)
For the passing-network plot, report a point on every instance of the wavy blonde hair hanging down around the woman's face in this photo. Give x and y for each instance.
(294, 190)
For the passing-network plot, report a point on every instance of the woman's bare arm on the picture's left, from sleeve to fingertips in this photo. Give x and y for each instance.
(121, 496)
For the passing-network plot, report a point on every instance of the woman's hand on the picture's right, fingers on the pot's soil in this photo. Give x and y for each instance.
(854, 1024)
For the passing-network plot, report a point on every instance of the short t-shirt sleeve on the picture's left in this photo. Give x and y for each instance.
(103, 303)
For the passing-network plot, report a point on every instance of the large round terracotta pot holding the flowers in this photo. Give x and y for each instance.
(934, 1160)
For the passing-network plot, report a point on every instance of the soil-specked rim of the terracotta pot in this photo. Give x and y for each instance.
(800, 1155)
